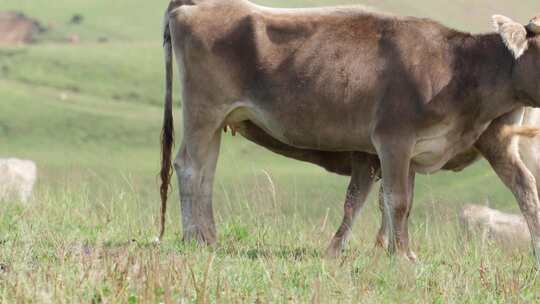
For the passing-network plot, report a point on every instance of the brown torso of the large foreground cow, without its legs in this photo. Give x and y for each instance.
(321, 81)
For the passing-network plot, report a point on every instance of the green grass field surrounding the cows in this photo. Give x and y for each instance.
(90, 114)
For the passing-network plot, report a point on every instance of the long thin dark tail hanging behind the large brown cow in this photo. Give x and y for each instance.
(167, 133)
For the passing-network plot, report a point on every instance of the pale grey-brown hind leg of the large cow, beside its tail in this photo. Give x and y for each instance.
(195, 168)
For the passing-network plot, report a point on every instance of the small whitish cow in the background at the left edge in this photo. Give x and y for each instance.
(17, 178)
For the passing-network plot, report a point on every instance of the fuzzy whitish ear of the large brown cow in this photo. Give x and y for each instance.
(513, 34)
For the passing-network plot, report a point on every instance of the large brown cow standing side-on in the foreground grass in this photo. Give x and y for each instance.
(399, 95)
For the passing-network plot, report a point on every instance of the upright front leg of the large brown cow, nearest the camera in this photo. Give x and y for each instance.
(397, 183)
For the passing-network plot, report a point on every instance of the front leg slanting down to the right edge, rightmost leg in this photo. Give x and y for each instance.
(502, 153)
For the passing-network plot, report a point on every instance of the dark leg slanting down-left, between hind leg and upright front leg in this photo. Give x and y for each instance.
(365, 171)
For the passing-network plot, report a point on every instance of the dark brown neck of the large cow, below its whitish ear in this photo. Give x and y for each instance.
(486, 66)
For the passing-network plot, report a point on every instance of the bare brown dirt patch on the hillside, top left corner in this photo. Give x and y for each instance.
(16, 28)
